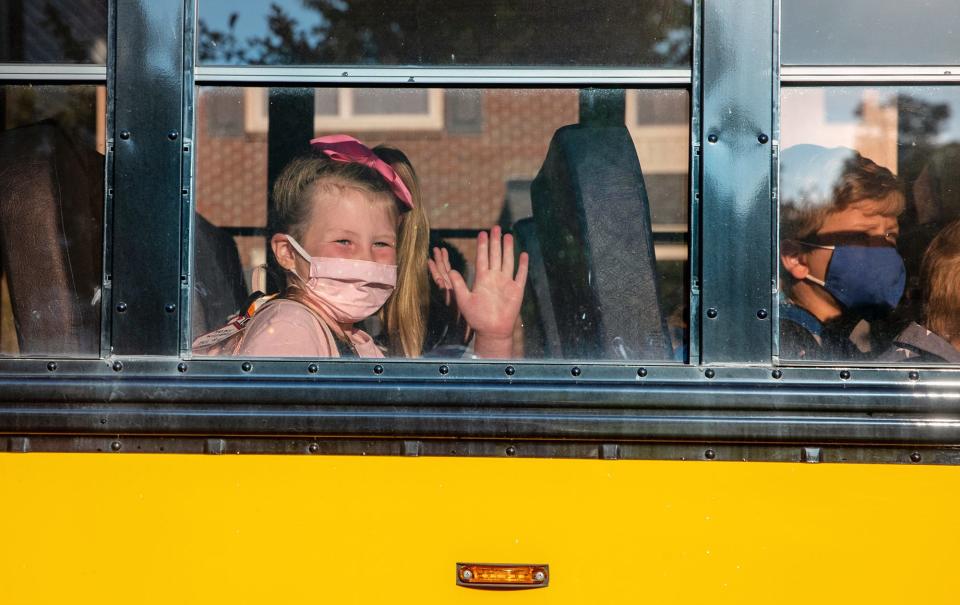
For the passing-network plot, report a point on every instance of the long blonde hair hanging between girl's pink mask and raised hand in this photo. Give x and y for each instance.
(404, 316)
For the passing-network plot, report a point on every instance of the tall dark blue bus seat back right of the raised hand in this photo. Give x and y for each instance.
(593, 224)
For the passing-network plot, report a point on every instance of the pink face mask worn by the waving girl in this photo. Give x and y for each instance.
(349, 290)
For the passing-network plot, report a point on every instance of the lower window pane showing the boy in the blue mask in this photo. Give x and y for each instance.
(869, 232)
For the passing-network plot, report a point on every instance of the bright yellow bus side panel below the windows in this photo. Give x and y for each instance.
(155, 528)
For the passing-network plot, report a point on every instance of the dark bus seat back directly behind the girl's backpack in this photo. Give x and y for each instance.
(219, 289)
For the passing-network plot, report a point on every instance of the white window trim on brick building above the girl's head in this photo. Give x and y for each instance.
(256, 121)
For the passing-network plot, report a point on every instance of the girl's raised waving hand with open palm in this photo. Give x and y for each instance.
(492, 306)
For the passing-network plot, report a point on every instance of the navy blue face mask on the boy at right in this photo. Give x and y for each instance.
(868, 280)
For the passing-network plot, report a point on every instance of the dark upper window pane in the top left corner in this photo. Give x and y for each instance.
(53, 31)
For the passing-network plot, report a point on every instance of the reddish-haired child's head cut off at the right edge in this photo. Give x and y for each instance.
(941, 281)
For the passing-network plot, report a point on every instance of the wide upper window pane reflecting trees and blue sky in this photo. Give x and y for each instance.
(502, 33)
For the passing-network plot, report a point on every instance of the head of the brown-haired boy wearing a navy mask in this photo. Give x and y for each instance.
(834, 199)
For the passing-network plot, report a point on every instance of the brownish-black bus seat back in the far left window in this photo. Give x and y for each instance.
(51, 216)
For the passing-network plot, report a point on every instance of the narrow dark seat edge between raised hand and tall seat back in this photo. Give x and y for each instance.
(540, 336)
